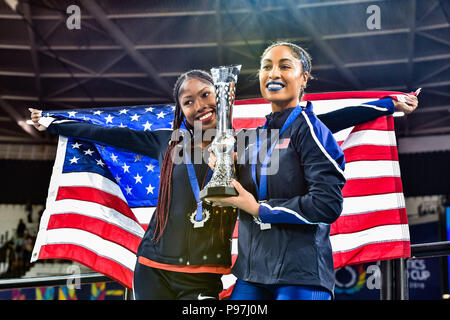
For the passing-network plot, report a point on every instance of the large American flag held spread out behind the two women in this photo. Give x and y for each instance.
(101, 199)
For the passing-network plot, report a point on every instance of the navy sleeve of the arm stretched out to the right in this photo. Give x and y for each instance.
(351, 116)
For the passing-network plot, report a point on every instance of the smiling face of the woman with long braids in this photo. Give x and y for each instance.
(198, 102)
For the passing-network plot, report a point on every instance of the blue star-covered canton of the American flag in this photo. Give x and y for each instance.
(137, 175)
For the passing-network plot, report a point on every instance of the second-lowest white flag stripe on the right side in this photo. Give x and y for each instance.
(372, 203)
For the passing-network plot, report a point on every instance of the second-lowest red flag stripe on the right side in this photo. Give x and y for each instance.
(363, 221)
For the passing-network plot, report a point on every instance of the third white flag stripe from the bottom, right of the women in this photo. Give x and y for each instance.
(371, 169)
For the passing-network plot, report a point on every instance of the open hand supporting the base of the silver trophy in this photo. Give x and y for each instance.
(245, 200)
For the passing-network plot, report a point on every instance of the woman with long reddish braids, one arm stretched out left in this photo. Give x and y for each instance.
(177, 258)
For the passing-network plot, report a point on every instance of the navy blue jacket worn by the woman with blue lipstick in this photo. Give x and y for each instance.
(303, 198)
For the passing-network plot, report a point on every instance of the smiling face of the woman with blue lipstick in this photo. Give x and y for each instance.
(281, 78)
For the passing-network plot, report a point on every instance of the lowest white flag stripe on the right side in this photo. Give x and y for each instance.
(387, 233)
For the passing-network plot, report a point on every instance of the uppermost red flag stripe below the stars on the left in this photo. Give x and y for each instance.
(95, 195)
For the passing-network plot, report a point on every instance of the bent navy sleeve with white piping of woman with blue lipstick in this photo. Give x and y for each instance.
(323, 162)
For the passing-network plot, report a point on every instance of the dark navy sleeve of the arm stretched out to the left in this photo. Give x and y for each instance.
(142, 142)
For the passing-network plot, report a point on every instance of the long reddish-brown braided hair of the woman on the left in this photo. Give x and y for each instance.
(165, 184)
